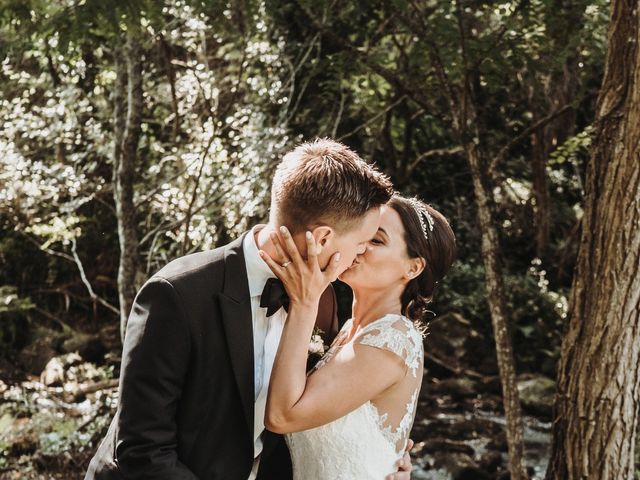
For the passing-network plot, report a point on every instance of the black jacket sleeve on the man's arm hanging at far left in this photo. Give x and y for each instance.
(155, 359)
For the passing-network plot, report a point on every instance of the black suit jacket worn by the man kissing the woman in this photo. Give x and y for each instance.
(186, 402)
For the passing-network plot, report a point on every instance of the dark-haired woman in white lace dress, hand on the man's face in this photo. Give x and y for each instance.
(350, 416)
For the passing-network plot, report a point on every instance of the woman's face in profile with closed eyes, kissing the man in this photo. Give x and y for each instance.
(385, 262)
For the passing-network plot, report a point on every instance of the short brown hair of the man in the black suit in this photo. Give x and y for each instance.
(323, 182)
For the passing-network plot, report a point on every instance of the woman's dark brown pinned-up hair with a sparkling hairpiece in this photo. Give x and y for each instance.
(438, 249)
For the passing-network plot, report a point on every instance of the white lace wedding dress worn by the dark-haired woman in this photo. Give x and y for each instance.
(367, 442)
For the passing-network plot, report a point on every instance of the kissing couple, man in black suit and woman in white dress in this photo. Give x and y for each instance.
(214, 381)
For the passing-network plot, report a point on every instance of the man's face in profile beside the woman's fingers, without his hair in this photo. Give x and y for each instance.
(351, 242)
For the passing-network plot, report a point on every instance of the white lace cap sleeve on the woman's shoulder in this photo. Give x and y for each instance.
(395, 334)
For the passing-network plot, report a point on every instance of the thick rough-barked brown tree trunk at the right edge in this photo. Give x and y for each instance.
(596, 405)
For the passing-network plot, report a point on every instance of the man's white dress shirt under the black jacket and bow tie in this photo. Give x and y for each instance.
(266, 336)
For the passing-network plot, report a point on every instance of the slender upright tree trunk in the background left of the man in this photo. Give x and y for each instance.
(127, 121)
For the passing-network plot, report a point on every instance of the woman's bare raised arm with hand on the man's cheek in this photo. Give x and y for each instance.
(358, 373)
